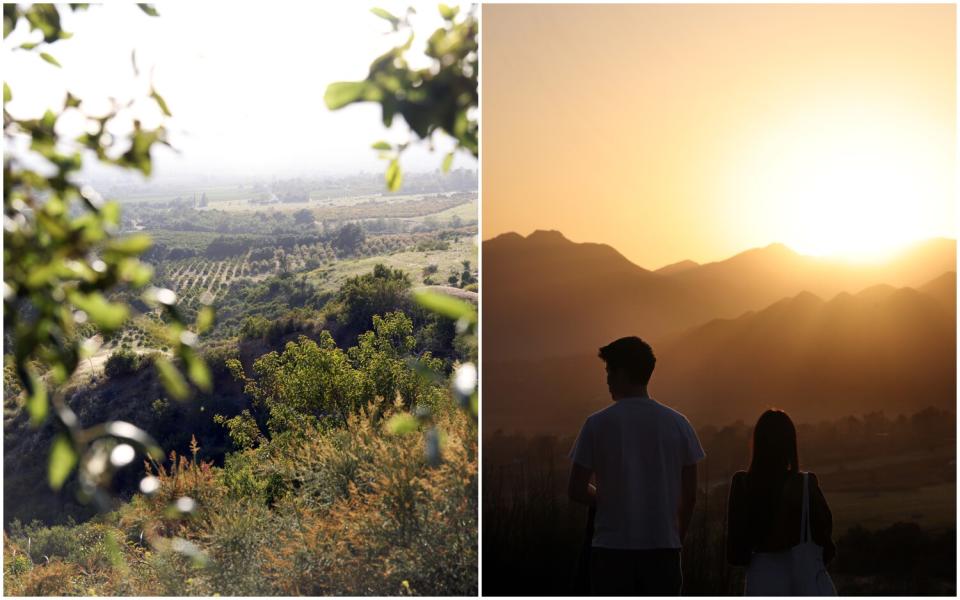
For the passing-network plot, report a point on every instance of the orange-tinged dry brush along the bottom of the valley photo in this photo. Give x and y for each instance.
(345, 511)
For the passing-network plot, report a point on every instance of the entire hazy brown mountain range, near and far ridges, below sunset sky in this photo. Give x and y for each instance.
(884, 347)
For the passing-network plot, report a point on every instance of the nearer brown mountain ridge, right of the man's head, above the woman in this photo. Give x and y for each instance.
(882, 349)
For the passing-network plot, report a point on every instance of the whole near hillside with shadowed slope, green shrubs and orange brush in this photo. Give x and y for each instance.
(308, 472)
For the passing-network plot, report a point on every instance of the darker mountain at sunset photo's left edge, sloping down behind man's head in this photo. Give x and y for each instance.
(546, 295)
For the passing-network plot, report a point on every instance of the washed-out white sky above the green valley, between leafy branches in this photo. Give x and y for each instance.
(245, 81)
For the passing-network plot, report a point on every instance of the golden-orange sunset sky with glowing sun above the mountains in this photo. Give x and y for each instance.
(697, 131)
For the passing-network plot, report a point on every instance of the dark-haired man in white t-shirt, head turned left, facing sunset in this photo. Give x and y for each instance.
(643, 458)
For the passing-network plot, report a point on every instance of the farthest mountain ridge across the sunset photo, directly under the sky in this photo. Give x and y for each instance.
(546, 296)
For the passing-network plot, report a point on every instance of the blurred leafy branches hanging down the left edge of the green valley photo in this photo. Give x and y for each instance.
(64, 261)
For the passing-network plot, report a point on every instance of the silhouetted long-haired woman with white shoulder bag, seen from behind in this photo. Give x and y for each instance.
(765, 513)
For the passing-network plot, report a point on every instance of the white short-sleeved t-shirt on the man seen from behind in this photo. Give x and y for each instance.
(636, 448)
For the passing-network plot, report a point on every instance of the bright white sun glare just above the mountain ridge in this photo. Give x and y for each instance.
(852, 187)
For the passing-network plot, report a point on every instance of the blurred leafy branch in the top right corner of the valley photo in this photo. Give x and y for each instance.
(440, 97)
